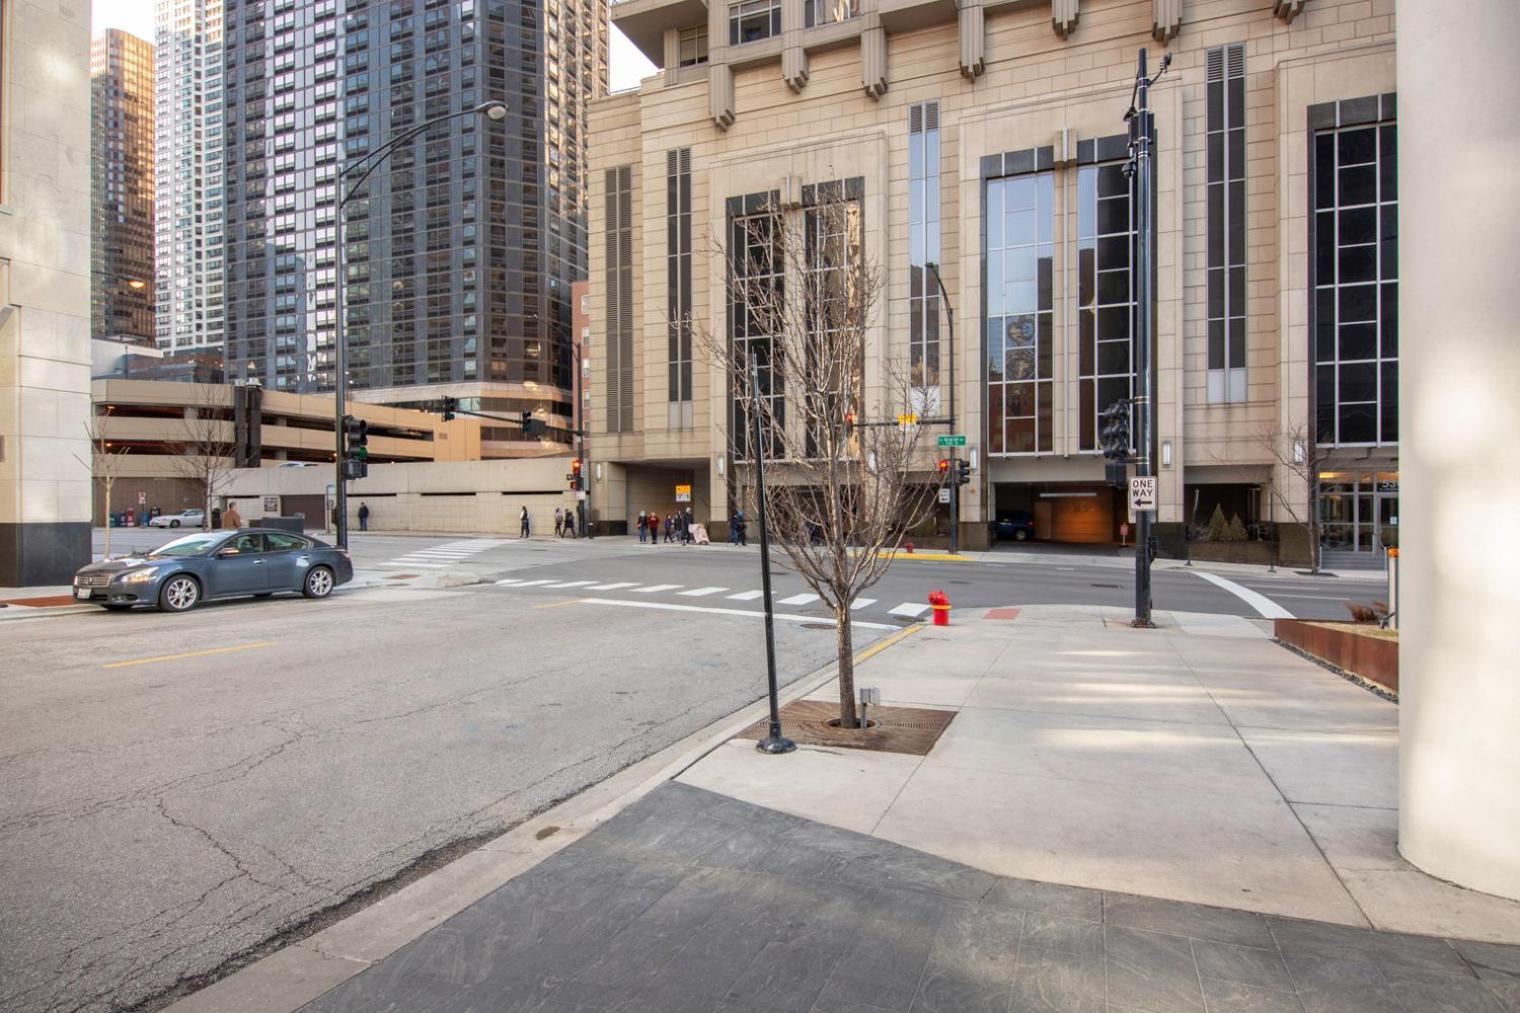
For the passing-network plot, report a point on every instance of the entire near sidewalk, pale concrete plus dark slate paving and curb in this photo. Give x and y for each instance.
(1188, 819)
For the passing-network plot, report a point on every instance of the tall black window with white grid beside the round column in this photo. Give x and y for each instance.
(1357, 285)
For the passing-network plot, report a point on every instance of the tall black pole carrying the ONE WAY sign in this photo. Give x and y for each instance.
(1145, 224)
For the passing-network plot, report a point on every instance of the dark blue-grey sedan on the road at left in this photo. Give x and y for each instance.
(179, 576)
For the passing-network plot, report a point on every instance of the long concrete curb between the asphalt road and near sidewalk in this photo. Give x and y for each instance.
(306, 970)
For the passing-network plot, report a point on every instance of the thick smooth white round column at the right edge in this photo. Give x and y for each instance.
(1460, 430)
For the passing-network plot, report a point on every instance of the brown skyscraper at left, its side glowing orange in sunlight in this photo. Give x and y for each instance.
(122, 186)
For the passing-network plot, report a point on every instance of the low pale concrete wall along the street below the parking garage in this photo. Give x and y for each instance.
(466, 497)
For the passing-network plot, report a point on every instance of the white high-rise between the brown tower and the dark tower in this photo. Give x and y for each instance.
(189, 198)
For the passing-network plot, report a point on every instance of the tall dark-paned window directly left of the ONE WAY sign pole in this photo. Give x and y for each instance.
(1106, 244)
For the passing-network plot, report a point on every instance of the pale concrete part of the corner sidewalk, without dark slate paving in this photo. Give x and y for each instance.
(1199, 763)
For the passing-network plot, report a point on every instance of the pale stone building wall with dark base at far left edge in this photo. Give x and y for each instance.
(45, 293)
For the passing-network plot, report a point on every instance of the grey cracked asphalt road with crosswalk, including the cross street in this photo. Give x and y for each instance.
(179, 789)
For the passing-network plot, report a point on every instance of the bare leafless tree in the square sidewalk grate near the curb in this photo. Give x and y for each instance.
(844, 480)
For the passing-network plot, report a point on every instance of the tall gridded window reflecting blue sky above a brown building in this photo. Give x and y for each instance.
(1021, 250)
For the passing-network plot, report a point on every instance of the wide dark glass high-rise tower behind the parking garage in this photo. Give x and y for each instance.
(461, 249)
